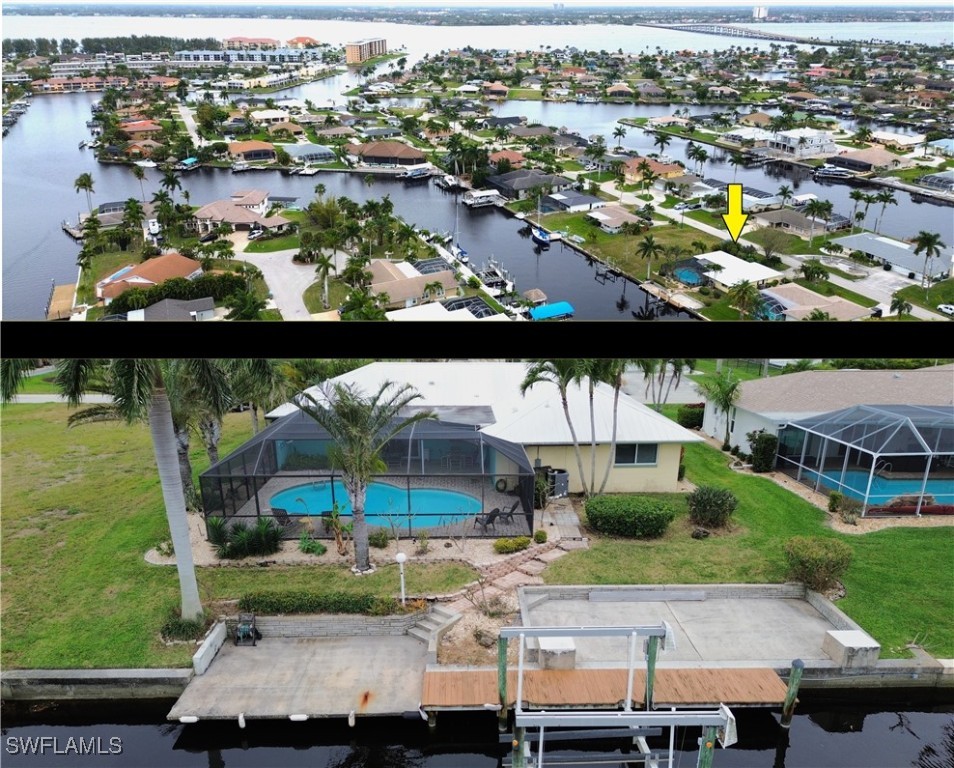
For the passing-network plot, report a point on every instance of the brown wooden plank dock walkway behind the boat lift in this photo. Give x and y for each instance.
(600, 688)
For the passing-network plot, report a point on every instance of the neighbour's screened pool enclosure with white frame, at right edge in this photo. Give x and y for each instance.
(894, 459)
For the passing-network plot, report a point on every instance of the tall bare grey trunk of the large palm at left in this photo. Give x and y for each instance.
(164, 444)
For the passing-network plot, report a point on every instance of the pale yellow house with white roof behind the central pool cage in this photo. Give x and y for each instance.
(648, 444)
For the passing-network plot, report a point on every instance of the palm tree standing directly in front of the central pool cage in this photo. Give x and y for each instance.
(360, 426)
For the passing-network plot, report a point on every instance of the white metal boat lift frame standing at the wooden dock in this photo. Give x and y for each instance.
(717, 724)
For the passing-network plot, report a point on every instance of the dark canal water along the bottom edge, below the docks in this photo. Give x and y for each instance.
(885, 730)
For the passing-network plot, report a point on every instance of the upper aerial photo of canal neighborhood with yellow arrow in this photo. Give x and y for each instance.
(546, 161)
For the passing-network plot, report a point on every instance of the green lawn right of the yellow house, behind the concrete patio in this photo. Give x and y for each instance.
(898, 586)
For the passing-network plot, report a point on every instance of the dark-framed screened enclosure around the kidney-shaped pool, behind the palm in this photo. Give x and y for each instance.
(438, 476)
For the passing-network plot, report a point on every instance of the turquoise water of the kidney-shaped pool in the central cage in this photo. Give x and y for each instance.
(384, 503)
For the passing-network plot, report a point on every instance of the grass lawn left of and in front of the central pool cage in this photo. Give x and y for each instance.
(80, 508)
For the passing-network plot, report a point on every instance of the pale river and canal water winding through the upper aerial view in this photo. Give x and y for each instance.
(41, 162)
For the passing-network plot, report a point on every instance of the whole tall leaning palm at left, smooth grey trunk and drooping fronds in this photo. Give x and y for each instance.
(139, 393)
